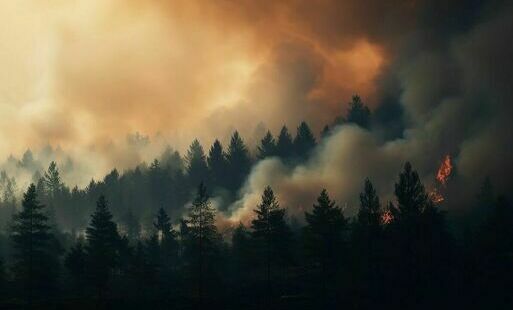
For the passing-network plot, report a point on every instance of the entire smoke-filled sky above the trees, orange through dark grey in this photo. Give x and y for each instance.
(82, 75)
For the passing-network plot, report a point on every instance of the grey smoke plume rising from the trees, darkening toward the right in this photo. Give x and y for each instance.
(452, 82)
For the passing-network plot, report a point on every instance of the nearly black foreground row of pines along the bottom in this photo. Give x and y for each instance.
(407, 261)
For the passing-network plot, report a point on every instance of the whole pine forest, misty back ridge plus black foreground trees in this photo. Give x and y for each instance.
(149, 237)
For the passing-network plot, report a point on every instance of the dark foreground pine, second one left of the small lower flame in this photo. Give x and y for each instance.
(326, 226)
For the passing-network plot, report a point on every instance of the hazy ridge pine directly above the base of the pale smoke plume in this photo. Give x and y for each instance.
(239, 162)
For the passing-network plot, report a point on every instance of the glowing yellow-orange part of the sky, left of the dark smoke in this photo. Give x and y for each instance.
(82, 73)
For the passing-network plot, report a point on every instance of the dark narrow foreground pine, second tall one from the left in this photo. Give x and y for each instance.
(102, 246)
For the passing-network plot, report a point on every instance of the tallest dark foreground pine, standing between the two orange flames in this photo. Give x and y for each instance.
(417, 243)
